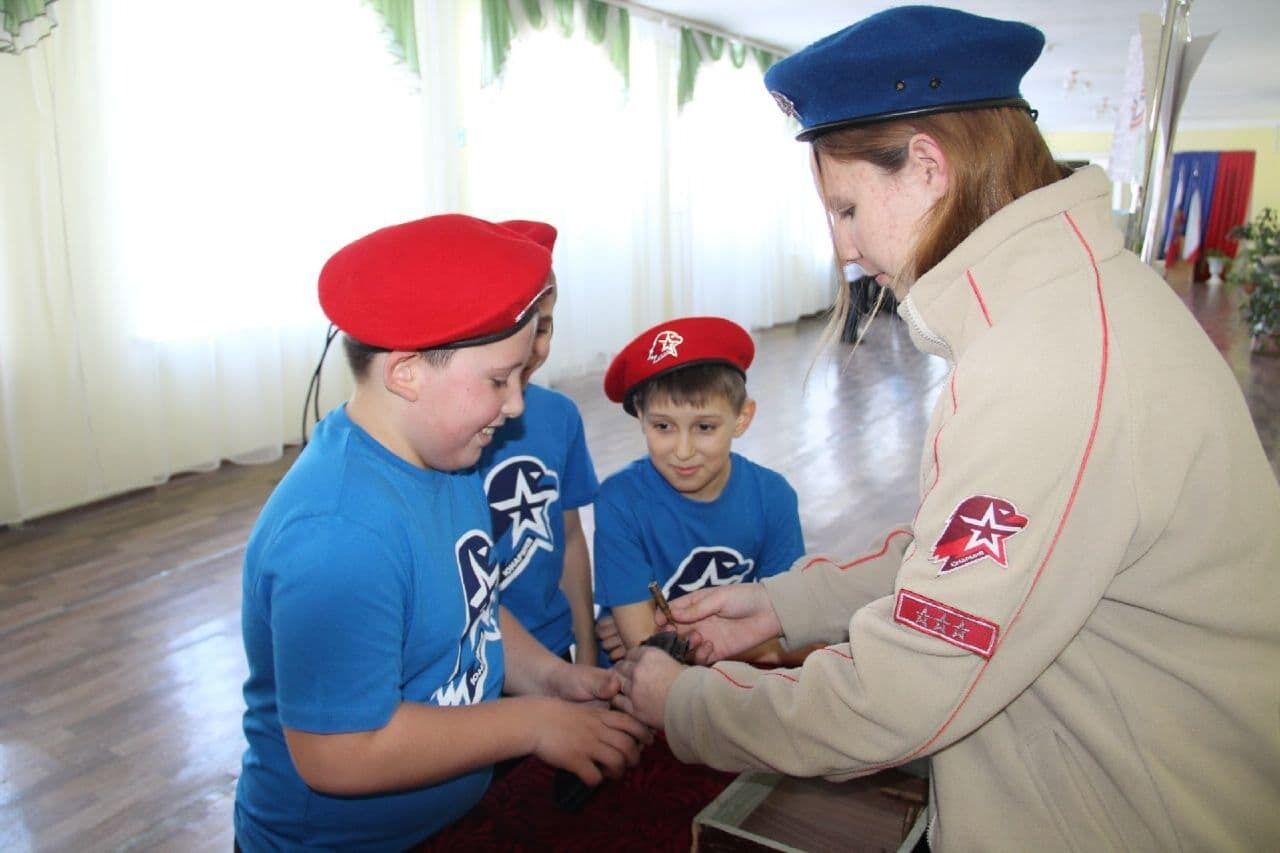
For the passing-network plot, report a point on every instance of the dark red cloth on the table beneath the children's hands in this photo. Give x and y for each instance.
(652, 809)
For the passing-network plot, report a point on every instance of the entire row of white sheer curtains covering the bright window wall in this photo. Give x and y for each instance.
(172, 179)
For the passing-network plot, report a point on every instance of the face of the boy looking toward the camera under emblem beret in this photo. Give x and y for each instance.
(691, 445)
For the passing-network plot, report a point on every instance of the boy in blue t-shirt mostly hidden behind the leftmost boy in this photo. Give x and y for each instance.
(537, 475)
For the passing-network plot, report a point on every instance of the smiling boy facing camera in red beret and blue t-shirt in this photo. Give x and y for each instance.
(693, 514)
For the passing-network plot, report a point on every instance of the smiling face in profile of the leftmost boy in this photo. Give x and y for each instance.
(460, 405)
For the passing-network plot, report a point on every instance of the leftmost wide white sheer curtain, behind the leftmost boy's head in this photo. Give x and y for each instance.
(173, 180)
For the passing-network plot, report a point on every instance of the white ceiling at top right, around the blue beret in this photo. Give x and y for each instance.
(1080, 77)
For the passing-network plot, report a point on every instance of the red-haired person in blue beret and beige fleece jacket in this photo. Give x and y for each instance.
(1081, 627)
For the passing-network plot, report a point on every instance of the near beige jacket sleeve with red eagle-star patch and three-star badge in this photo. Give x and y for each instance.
(1026, 516)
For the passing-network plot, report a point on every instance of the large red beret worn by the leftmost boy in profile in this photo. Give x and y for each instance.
(442, 281)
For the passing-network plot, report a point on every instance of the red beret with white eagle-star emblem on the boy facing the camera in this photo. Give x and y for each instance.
(673, 345)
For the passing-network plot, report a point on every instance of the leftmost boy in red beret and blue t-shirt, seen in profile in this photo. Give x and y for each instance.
(376, 646)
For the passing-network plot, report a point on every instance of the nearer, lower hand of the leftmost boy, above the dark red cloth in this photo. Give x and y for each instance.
(589, 740)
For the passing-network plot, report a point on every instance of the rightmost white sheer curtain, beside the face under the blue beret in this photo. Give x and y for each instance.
(752, 239)
